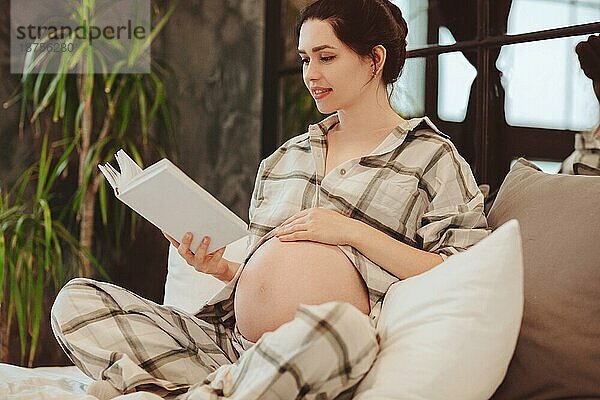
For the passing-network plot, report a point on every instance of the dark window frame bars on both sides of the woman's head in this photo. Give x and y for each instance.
(492, 144)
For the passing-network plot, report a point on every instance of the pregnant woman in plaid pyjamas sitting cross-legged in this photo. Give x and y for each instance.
(338, 214)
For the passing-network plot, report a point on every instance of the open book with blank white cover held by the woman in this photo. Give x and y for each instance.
(173, 202)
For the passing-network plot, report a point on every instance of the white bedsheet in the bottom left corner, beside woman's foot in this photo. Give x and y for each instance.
(50, 383)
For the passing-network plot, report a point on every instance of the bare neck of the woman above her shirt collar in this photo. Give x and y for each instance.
(373, 114)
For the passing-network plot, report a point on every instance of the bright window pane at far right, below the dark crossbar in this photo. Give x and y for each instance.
(545, 86)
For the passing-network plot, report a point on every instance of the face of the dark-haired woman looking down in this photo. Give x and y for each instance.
(334, 74)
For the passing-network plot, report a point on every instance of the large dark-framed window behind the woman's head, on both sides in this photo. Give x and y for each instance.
(500, 77)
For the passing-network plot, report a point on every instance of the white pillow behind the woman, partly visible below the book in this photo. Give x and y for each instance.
(188, 289)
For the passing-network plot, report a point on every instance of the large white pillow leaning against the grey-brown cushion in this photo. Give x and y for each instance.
(450, 333)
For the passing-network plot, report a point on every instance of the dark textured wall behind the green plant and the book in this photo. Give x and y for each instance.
(215, 52)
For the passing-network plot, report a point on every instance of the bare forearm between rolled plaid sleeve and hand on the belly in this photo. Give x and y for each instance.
(399, 259)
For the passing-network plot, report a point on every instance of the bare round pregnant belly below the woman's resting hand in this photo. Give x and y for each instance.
(281, 275)
